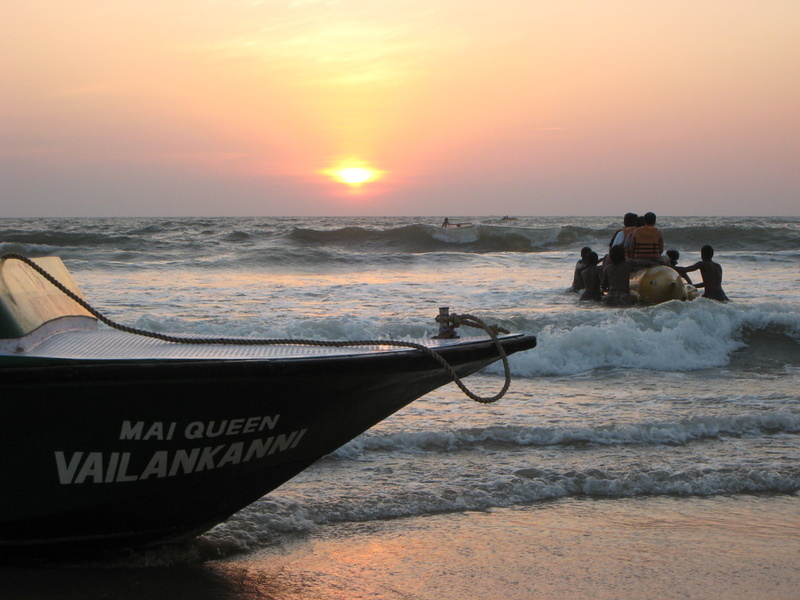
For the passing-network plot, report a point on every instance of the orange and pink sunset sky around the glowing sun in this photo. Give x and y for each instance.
(243, 107)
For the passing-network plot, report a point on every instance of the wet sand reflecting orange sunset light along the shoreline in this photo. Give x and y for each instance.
(710, 548)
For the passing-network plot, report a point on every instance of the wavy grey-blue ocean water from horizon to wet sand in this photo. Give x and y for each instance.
(695, 400)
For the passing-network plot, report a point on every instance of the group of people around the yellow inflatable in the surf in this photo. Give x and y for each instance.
(638, 244)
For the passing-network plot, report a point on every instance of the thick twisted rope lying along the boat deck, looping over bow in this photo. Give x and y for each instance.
(454, 320)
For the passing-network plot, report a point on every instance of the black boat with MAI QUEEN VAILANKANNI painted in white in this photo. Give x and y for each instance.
(113, 440)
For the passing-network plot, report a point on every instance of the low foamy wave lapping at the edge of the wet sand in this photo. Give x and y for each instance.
(258, 524)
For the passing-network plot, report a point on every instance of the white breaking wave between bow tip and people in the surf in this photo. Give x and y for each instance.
(672, 337)
